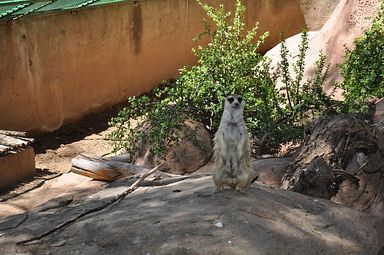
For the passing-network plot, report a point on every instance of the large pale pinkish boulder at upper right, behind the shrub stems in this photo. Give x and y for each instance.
(348, 21)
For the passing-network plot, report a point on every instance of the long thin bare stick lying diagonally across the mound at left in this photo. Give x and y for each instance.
(119, 197)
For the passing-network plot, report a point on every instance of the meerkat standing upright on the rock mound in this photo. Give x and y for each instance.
(232, 147)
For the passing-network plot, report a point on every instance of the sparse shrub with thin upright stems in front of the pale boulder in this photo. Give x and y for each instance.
(303, 99)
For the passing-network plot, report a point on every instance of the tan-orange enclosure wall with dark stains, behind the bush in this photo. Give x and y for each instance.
(56, 68)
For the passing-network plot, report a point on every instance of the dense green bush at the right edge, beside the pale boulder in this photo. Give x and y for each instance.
(363, 69)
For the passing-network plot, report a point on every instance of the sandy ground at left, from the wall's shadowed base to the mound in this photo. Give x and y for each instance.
(54, 152)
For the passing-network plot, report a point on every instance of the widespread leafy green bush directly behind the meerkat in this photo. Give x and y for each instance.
(230, 63)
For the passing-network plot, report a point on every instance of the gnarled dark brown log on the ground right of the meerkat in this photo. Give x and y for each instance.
(343, 161)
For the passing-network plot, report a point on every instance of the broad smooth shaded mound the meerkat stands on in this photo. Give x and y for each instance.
(189, 218)
